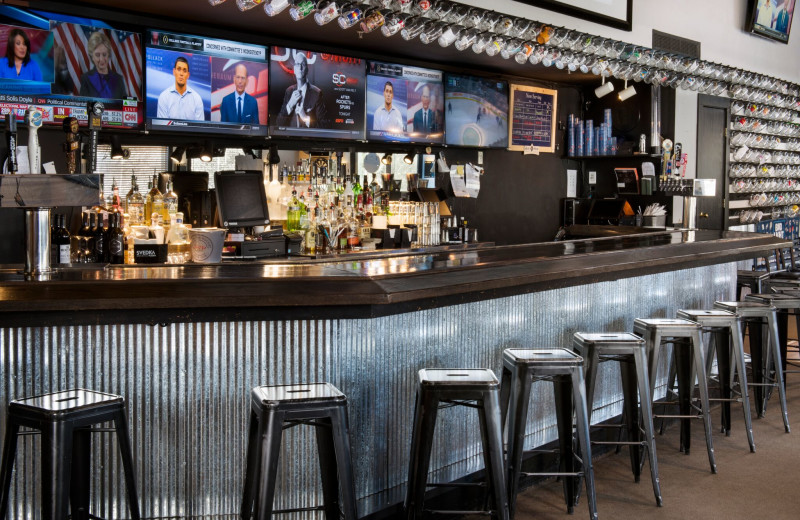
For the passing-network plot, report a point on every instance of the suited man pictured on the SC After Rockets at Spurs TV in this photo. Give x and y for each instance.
(303, 105)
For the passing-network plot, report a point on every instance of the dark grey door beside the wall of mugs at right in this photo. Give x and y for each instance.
(713, 114)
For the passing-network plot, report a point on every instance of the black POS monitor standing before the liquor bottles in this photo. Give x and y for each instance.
(241, 198)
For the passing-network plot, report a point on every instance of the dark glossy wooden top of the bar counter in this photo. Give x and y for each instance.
(358, 287)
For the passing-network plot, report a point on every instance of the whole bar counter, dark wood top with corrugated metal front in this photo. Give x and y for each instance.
(186, 344)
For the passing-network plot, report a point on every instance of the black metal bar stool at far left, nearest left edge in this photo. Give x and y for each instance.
(65, 421)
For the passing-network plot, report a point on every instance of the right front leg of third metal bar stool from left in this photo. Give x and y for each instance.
(492, 433)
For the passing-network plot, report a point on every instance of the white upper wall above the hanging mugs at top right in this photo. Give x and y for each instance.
(717, 24)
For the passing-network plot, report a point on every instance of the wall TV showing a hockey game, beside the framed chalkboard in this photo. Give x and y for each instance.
(477, 111)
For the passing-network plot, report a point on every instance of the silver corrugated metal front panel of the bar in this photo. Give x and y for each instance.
(187, 386)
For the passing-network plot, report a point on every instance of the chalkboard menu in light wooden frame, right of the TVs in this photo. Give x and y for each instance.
(532, 124)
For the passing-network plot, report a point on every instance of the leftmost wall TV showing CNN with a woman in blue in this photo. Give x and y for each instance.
(60, 63)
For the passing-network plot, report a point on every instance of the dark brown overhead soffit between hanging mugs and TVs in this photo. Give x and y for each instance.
(199, 17)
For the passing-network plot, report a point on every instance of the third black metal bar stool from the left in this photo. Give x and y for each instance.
(476, 388)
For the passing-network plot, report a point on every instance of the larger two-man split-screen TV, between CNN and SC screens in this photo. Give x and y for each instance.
(205, 85)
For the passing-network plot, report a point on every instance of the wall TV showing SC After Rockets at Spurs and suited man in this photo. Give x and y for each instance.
(315, 94)
